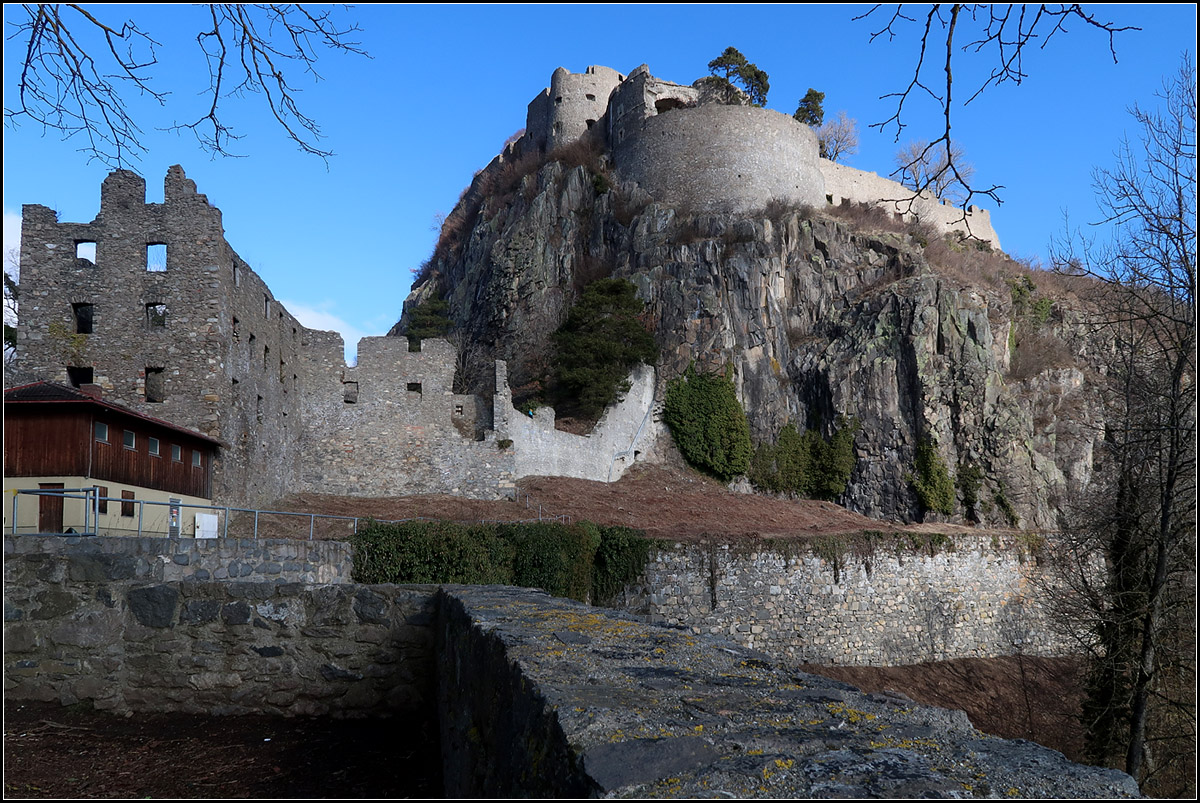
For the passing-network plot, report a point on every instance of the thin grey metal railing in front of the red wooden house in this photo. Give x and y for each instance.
(92, 499)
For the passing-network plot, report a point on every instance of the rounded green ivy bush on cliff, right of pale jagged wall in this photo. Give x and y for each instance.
(709, 424)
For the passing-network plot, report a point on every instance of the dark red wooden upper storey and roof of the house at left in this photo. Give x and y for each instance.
(57, 432)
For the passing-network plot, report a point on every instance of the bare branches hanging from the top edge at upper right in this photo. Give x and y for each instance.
(1000, 33)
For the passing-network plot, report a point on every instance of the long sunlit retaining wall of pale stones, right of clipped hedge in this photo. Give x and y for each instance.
(979, 598)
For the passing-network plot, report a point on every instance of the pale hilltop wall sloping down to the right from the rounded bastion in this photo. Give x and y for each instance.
(848, 184)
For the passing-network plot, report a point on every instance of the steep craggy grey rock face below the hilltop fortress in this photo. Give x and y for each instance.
(820, 317)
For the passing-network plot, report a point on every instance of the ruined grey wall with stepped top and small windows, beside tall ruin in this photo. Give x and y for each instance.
(394, 427)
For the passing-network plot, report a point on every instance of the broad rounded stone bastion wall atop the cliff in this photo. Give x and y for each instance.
(722, 159)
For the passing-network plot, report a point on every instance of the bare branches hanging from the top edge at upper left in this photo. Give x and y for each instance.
(77, 70)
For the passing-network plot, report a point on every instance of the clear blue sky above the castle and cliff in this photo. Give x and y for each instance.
(447, 86)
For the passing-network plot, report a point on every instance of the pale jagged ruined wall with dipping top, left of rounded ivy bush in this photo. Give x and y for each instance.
(625, 435)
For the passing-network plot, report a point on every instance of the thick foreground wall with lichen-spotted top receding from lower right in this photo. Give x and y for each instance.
(601, 705)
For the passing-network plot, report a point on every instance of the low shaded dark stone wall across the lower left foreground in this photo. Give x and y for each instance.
(93, 627)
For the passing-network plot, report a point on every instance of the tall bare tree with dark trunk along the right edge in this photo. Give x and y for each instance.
(1139, 522)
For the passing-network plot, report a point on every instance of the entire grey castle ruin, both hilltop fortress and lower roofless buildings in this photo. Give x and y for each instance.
(151, 304)
